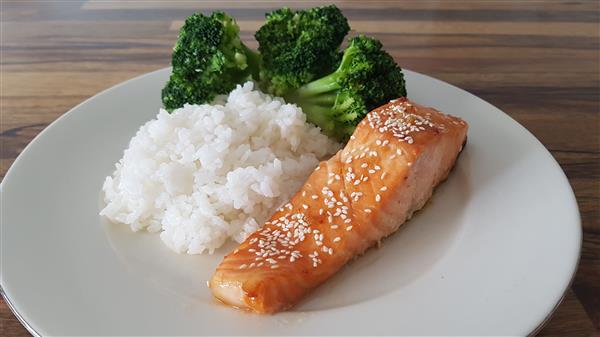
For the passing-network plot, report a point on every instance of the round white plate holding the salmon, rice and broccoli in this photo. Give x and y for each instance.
(492, 254)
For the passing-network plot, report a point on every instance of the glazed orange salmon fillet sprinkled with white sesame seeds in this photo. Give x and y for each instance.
(387, 171)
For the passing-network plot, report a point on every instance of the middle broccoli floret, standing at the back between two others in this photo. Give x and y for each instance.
(299, 46)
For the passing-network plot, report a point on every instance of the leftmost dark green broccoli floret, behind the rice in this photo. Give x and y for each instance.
(209, 59)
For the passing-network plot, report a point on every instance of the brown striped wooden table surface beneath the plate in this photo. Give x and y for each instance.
(536, 60)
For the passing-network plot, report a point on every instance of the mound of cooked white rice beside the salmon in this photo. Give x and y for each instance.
(206, 173)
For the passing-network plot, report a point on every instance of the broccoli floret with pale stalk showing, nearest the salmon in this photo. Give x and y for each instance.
(366, 78)
